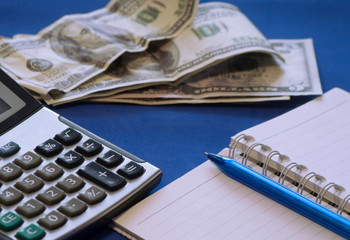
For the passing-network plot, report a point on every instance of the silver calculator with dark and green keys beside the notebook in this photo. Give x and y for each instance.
(56, 177)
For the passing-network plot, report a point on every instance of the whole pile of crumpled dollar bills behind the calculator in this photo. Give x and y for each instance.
(159, 52)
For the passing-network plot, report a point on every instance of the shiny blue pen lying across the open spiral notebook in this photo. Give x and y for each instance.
(282, 195)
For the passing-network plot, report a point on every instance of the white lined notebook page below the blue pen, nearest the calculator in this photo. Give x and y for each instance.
(206, 204)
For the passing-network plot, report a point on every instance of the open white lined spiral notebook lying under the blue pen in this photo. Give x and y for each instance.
(306, 149)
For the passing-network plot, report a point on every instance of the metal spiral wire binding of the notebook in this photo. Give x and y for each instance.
(248, 145)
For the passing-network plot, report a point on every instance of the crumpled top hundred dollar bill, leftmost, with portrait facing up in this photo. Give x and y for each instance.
(77, 47)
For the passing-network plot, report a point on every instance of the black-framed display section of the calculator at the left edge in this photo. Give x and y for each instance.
(16, 104)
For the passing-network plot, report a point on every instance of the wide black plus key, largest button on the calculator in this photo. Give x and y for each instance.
(102, 176)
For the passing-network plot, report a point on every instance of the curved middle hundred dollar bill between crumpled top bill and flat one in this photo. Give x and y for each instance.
(218, 32)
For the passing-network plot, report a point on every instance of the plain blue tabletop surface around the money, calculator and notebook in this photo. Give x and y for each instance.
(174, 137)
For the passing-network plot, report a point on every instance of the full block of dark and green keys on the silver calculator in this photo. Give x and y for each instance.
(59, 180)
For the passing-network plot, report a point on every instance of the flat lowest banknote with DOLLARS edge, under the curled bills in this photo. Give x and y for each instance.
(248, 75)
